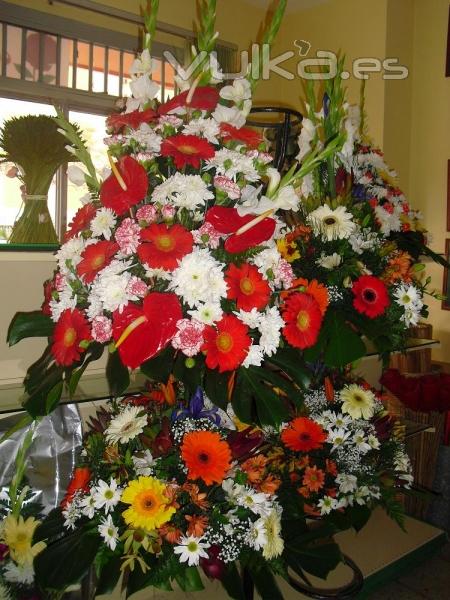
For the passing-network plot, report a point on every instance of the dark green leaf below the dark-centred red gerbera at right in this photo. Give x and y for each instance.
(344, 345)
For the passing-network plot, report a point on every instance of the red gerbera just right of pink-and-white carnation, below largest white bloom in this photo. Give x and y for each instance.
(227, 344)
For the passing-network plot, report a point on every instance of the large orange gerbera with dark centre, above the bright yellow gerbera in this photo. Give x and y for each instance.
(206, 456)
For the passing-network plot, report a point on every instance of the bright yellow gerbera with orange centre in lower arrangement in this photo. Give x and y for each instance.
(149, 503)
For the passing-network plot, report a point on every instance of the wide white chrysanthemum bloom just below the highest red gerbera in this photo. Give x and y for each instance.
(184, 191)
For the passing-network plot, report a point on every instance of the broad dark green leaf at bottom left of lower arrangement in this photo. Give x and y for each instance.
(67, 560)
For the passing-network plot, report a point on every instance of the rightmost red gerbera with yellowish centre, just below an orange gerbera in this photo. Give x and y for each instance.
(303, 318)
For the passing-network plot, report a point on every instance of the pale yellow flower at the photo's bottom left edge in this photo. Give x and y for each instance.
(17, 534)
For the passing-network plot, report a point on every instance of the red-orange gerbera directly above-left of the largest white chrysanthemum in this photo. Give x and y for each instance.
(164, 246)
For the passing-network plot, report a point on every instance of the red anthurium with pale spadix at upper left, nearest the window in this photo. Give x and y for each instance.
(135, 177)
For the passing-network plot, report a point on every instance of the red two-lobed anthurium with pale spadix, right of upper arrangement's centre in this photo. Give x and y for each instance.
(228, 220)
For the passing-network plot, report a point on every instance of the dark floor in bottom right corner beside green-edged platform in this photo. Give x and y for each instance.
(431, 581)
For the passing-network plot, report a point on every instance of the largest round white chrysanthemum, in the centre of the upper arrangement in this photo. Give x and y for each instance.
(199, 279)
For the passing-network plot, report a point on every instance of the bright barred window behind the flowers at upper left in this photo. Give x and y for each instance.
(84, 75)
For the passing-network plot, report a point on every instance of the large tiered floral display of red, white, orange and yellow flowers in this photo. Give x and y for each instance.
(215, 275)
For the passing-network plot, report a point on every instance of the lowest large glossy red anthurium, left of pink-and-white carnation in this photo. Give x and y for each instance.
(141, 332)
